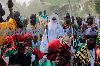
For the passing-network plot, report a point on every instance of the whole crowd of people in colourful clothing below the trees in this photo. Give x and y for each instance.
(43, 40)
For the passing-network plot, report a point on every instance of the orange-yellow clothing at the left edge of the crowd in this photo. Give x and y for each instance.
(11, 24)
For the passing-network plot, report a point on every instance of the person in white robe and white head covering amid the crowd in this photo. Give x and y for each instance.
(53, 31)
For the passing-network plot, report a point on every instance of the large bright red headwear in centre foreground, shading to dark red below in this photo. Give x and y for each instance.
(53, 46)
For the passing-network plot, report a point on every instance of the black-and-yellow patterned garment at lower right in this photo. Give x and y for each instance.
(83, 54)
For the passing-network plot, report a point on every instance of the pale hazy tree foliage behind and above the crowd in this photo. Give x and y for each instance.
(78, 7)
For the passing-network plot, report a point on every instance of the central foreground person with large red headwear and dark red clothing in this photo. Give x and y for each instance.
(58, 54)
